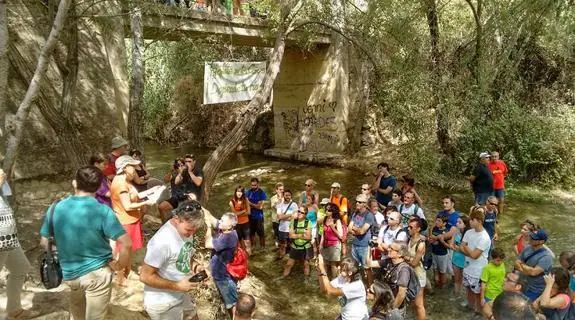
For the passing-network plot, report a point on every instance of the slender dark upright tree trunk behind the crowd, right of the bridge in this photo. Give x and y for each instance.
(442, 119)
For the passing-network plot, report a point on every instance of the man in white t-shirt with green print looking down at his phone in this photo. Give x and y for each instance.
(169, 265)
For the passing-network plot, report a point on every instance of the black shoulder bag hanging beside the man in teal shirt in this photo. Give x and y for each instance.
(50, 269)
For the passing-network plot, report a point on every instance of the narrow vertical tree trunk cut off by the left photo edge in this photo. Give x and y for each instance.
(3, 72)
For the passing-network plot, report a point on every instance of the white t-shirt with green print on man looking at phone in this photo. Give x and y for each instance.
(172, 255)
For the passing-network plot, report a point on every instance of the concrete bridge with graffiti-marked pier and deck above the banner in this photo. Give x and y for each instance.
(311, 93)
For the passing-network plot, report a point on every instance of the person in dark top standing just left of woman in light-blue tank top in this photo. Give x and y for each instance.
(439, 252)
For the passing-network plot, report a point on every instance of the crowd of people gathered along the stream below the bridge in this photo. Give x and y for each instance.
(378, 255)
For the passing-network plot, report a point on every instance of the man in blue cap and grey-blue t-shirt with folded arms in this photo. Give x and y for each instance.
(534, 262)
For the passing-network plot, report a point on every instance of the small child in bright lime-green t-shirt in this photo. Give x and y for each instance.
(492, 277)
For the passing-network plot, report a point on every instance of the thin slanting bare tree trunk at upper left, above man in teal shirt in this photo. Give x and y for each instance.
(15, 126)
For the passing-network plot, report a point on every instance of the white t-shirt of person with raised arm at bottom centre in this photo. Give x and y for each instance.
(353, 301)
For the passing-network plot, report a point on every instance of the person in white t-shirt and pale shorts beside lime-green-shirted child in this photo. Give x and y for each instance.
(475, 246)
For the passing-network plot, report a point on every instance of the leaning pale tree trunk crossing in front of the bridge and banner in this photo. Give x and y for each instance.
(247, 120)
